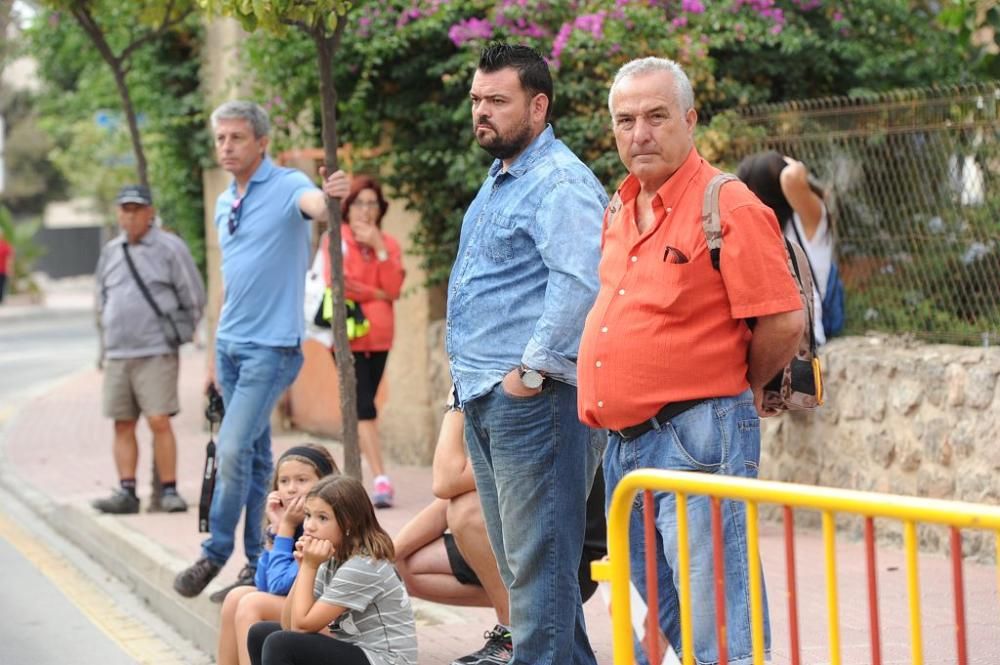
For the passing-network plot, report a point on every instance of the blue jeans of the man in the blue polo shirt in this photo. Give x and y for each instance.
(252, 378)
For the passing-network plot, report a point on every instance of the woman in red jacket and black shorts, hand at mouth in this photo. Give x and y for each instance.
(373, 276)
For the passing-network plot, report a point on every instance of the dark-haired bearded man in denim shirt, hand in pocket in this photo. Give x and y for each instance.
(524, 279)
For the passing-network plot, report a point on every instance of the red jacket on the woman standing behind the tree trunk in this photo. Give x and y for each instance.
(364, 276)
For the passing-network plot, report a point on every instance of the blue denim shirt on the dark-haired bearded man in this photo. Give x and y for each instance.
(526, 272)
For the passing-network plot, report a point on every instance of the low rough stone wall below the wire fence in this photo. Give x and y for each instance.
(900, 417)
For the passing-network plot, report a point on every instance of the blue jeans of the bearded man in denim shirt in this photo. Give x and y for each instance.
(534, 463)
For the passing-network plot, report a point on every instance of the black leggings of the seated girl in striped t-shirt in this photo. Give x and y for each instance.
(270, 645)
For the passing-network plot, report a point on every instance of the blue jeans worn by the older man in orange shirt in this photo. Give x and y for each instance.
(717, 436)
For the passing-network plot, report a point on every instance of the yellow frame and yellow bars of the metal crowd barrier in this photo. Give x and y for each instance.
(828, 501)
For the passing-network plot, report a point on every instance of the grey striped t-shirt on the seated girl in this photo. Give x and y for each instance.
(379, 618)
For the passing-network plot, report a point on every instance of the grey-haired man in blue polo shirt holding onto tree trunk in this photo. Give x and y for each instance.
(262, 221)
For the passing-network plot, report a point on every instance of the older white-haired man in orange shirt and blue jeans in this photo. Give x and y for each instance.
(667, 362)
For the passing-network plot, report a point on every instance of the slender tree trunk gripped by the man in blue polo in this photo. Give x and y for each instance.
(326, 48)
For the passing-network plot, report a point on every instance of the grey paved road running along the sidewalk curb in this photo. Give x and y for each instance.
(57, 605)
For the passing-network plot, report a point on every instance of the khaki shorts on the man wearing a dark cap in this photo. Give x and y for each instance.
(134, 386)
